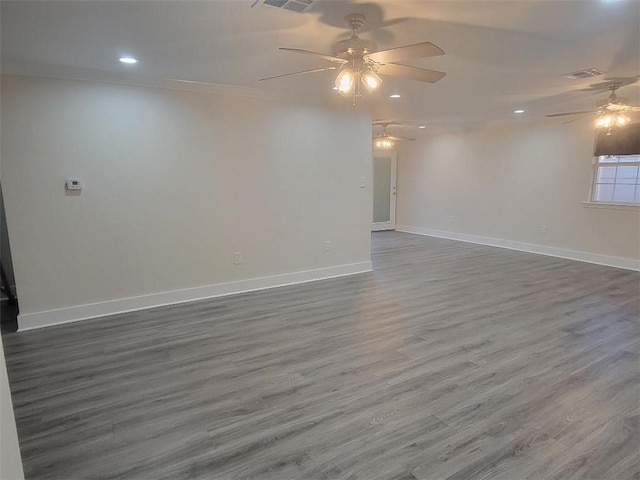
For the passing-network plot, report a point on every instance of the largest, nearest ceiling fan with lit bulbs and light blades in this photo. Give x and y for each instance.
(358, 61)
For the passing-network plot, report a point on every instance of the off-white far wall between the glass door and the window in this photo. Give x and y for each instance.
(506, 181)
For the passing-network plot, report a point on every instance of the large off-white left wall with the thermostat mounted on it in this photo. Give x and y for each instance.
(175, 182)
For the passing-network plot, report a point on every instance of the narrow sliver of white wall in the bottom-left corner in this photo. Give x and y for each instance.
(10, 460)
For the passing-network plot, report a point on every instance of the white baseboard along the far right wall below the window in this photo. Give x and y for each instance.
(610, 261)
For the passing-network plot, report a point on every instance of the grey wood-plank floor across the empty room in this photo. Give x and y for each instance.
(451, 360)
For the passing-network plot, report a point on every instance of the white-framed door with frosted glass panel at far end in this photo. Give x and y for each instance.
(384, 191)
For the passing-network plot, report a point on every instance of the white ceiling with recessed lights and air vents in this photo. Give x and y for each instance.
(500, 55)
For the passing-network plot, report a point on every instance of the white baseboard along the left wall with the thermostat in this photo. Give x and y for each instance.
(30, 321)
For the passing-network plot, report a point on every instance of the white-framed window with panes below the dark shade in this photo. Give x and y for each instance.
(617, 179)
